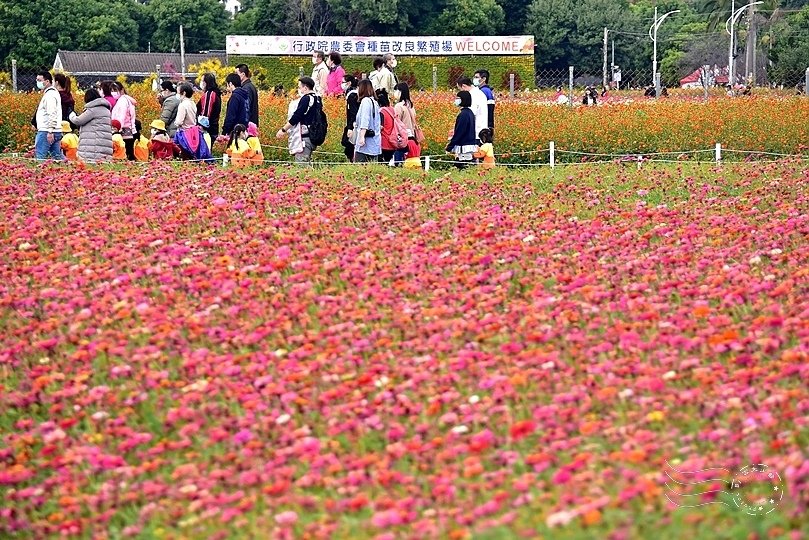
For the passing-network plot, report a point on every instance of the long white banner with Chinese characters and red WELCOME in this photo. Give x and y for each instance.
(375, 46)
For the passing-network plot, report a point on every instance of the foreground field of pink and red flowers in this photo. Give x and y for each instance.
(361, 353)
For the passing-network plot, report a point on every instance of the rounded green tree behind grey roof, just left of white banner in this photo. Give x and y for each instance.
(205, 24)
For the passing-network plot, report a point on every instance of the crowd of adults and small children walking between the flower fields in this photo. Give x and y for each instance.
(380, 119)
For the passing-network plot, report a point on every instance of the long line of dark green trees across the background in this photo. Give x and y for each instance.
(567, 32)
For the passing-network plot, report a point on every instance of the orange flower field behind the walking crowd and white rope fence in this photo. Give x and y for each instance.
(628, 124)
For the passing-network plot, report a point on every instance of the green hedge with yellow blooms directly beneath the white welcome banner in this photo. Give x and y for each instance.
(417, 71)
